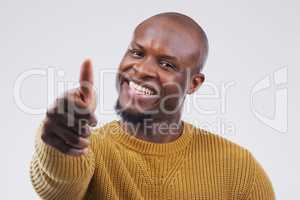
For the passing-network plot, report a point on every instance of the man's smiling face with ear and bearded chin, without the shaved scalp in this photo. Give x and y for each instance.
(159, 68)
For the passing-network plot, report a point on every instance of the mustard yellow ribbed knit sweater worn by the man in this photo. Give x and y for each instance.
(198, 165)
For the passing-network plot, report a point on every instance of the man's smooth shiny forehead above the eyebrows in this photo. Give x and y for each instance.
(169, 38)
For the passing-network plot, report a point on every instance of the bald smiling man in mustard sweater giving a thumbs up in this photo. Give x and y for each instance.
(150, 153)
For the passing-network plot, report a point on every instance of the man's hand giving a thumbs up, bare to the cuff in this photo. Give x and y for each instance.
(68, 121)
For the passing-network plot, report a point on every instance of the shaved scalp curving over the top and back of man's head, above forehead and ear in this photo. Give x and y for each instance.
(182, 24)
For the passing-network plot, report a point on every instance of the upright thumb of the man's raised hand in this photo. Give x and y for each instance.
(86, 80)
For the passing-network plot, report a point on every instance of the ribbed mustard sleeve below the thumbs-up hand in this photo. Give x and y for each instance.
(55, 175)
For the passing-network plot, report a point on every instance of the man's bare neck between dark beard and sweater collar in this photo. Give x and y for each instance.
(156, 130)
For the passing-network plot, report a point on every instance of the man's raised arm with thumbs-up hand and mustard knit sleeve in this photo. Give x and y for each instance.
(63, 163)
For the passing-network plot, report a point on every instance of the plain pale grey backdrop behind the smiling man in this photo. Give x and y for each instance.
(249, 40)
